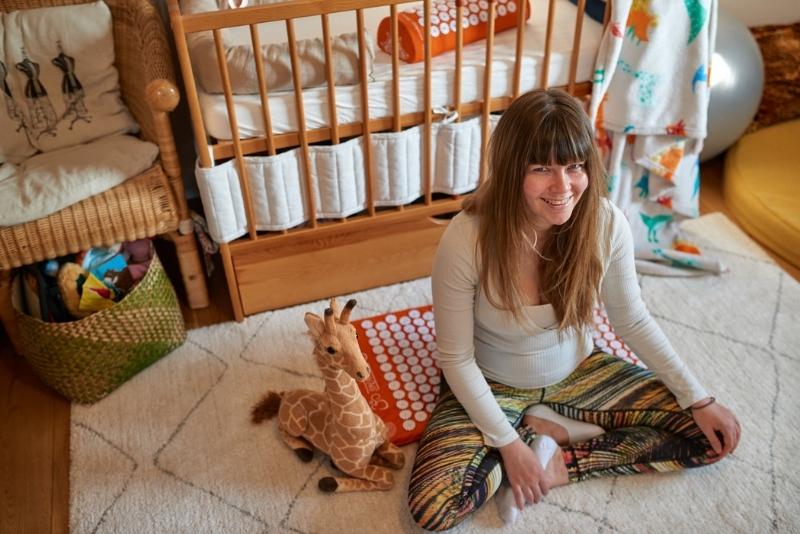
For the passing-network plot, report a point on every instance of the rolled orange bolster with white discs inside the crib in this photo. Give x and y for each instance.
(411, 26)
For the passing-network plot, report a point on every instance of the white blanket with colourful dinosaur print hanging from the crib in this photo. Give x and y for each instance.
(649, 104)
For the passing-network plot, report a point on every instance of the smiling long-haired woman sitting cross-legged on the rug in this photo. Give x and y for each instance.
(526, 396)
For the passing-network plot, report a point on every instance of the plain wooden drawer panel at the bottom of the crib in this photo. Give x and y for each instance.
(334, 265)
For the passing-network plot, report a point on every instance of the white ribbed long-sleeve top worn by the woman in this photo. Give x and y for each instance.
(477, 341)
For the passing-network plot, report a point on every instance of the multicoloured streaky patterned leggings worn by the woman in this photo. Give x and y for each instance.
(646, 431)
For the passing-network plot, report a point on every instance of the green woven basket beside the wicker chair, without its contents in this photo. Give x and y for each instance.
(85, 360)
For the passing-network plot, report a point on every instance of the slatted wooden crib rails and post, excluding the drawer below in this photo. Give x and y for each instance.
(212, 151)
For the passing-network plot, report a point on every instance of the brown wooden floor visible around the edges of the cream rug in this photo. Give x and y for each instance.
(34, 422)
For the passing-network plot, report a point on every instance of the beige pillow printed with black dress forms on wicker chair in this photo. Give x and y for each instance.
(59, 62)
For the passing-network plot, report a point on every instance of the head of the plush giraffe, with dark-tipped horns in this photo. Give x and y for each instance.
(336, 342)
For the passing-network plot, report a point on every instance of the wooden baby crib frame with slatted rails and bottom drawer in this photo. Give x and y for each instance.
(378, 245)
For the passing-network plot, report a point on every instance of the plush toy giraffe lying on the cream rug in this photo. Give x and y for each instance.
(339, 421)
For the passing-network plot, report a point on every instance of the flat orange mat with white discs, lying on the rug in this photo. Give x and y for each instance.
(404, 385)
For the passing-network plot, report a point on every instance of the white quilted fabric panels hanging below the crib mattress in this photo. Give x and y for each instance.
(338, 179)
